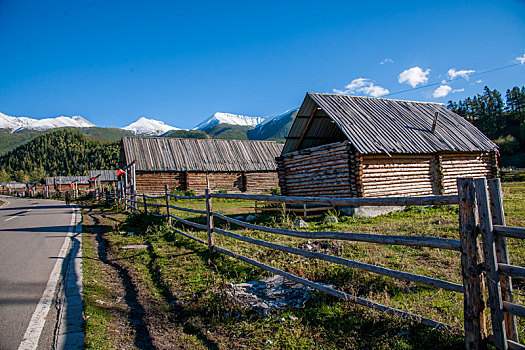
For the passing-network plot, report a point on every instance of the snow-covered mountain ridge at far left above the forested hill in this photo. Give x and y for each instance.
(20, 123)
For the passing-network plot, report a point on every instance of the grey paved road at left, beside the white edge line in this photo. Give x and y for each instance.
(32, 234)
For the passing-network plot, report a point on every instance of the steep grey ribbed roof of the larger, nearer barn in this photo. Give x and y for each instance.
(378, 125)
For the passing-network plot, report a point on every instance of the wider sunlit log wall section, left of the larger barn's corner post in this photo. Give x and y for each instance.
(398, 175)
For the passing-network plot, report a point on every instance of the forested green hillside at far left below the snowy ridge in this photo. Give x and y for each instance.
(61, 152)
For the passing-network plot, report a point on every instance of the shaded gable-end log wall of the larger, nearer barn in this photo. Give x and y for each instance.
(318, 171)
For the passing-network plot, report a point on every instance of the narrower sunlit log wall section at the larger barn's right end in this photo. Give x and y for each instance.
(475, 164)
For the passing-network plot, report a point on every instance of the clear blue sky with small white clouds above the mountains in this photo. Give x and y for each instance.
(115, 61)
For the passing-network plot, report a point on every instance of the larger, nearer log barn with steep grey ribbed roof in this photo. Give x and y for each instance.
(348, 146)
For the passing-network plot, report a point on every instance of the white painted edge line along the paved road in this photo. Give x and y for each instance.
(34, 329)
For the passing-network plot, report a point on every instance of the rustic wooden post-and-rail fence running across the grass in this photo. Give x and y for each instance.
(482, 244)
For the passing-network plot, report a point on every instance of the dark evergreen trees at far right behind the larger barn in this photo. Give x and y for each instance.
(501, 120)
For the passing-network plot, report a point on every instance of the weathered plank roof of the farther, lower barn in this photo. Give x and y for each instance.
(162, 154)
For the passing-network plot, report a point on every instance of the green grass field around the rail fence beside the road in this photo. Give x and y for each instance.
(179, 284)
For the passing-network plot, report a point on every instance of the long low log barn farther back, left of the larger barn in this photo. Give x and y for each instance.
(195, 164)
